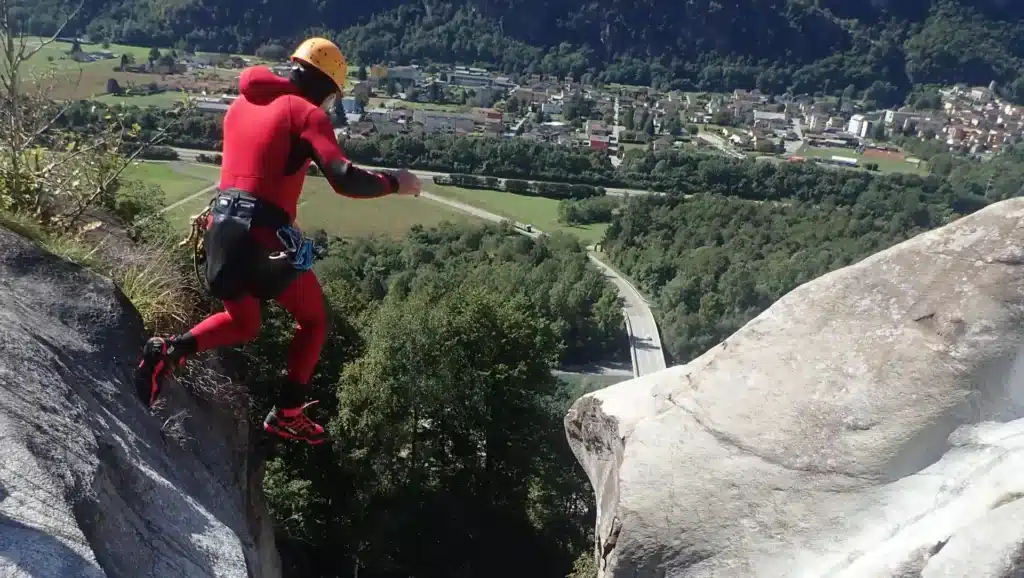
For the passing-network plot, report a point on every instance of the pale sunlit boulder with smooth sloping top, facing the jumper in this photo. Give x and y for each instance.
(865, 426)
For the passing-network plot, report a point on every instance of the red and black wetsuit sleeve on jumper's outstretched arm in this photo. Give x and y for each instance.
(347, 179)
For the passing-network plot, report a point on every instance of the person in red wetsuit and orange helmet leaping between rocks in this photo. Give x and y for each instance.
(273, 133)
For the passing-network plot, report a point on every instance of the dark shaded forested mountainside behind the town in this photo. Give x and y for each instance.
(702, 45)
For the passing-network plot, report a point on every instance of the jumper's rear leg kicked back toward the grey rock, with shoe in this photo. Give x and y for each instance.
(237, 324)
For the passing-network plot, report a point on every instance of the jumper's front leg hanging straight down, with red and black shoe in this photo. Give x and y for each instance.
(305, 300)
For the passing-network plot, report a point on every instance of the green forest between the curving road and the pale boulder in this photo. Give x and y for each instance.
(714, 263)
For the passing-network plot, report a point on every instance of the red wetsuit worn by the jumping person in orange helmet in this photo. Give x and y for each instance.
(272, 134)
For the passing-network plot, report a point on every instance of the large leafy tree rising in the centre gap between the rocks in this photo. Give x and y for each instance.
(450, 406)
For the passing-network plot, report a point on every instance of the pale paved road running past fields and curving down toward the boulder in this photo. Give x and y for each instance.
(646, 344)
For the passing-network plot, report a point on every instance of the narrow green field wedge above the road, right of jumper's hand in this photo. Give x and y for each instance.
(539, 212)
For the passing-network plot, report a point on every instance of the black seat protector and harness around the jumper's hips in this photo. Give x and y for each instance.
(236, 264)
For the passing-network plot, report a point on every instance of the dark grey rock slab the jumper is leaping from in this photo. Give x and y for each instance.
(91, 484)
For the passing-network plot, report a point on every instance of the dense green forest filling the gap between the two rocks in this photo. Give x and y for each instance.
(448, 444)
